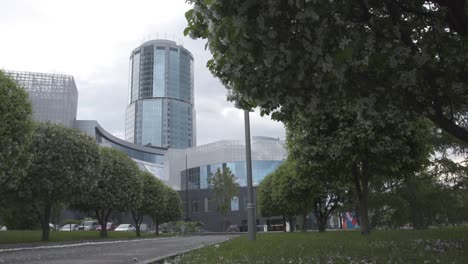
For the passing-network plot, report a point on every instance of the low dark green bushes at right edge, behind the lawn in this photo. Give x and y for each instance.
(421, 201)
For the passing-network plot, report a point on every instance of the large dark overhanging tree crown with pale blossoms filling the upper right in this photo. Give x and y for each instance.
(290, 56)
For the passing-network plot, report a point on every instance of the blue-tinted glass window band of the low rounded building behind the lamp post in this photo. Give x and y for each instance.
(199, 177)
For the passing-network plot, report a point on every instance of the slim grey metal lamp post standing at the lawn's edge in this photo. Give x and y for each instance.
(251, 223)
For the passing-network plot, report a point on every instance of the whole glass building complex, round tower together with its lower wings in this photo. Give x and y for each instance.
(162, 126)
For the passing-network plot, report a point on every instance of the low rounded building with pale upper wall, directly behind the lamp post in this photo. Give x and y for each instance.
(190, 171)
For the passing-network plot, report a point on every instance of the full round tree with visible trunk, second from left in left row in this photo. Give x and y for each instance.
(64, 168)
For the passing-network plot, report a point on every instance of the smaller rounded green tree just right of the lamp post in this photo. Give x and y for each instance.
(293, 190)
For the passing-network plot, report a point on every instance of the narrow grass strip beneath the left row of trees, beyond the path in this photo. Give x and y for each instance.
(28, 236)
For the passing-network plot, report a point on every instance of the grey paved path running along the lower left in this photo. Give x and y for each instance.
(123, 251)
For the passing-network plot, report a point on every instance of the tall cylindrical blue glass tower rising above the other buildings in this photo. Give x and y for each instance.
(160, 110)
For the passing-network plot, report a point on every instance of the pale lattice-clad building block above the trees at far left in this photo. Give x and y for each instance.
(54, 96)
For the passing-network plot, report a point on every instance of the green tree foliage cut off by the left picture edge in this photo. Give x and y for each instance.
(15, 132)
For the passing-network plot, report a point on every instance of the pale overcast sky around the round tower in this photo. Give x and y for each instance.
(92, 40)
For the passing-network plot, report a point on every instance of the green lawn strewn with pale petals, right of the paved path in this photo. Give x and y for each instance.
(447, 245)
